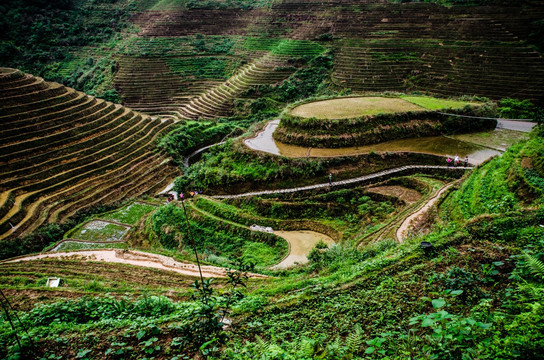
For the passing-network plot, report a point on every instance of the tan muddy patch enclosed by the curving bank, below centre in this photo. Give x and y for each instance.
(300, 245)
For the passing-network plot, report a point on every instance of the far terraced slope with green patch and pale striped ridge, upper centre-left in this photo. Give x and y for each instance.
(182, 80)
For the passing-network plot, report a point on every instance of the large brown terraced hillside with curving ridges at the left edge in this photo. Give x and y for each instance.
(62, 151)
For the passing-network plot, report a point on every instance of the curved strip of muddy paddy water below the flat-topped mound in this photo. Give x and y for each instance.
(438, 145)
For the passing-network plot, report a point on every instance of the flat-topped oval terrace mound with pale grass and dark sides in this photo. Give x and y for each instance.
(370, 120)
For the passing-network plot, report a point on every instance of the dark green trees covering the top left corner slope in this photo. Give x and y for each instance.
(37, 36)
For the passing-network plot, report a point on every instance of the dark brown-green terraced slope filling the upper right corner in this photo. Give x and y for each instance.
(383, 46)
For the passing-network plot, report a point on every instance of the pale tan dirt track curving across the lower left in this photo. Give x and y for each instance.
(136, 258)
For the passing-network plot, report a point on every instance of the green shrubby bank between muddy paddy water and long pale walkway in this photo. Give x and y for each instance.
(233, 168)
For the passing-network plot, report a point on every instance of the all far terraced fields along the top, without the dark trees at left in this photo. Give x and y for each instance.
(167, 68)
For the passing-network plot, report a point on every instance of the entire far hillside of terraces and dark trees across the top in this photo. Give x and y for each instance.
(183, 52)
